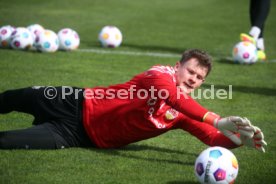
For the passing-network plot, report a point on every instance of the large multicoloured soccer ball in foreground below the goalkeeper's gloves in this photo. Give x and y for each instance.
(216, 165)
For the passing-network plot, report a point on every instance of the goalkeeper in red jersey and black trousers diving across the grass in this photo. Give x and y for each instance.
(150, 104)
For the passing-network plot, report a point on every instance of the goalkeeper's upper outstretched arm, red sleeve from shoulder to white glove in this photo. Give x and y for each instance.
(161, 79)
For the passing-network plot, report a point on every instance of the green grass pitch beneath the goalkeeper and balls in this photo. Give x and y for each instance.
(148, 26)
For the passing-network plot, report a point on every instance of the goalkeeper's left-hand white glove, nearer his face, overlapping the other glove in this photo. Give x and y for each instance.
(235, 124)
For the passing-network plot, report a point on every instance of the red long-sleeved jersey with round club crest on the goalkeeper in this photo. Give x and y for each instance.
(146, 106)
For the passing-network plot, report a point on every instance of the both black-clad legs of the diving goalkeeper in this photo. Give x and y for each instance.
(63, 115)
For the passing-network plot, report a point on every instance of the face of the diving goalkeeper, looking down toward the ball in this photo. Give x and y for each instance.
(190, 75)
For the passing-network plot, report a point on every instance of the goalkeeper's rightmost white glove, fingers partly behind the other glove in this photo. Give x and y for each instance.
(257, 141)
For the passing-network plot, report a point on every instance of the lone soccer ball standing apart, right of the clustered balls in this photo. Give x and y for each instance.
(110, 36)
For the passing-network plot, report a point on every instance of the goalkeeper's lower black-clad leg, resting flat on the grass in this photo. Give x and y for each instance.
(48, 135)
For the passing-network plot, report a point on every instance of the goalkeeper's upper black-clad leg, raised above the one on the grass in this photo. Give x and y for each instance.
(34, 100)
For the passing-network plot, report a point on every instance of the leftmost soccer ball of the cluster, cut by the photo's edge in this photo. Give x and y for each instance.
(5, 36)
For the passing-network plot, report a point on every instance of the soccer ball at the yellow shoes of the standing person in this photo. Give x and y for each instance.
(245, 53)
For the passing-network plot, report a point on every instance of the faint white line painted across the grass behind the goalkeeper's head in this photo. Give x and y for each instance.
(151, 54)
